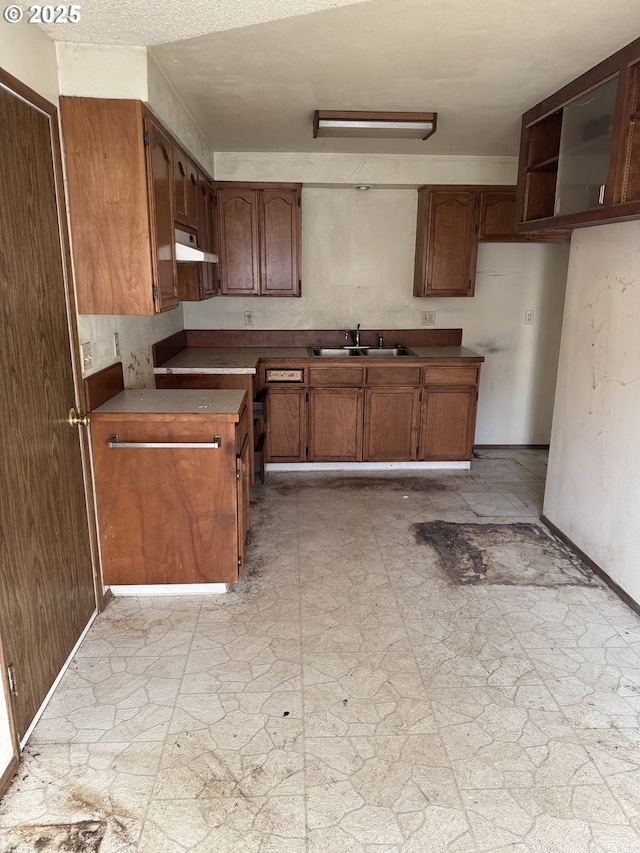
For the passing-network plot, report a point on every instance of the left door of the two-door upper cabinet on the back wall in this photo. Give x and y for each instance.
(238, 241)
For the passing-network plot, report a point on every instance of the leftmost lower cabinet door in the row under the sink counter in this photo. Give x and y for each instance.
(286, 425)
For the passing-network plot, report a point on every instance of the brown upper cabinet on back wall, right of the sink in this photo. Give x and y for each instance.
(452, 220)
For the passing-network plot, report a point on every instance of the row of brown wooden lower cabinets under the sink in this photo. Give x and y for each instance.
(377, 413)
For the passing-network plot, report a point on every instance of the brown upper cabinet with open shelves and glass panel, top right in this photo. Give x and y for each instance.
(580, 149)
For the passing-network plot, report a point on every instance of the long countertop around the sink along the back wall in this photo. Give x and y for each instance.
(221, 360)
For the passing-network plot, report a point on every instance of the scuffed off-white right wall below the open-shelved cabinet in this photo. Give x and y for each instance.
(592, 490)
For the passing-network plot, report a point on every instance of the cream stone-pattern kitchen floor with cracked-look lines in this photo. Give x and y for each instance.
(346, 697)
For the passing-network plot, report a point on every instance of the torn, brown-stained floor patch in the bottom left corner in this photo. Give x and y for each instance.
(82, 837)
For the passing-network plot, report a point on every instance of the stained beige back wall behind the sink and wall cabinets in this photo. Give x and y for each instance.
(357, 266)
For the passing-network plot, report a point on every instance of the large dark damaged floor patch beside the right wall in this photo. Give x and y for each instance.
(513, 554)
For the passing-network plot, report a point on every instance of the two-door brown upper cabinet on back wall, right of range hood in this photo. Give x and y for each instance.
(258, 229)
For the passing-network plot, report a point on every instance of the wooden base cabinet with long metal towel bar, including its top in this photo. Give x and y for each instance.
(172, 482)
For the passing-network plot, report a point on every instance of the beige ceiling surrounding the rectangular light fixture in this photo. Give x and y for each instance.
(254, 79)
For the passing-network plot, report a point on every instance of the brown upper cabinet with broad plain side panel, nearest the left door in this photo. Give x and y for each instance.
(121, 184)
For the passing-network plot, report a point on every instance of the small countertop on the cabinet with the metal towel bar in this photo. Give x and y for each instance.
(173, 401)
